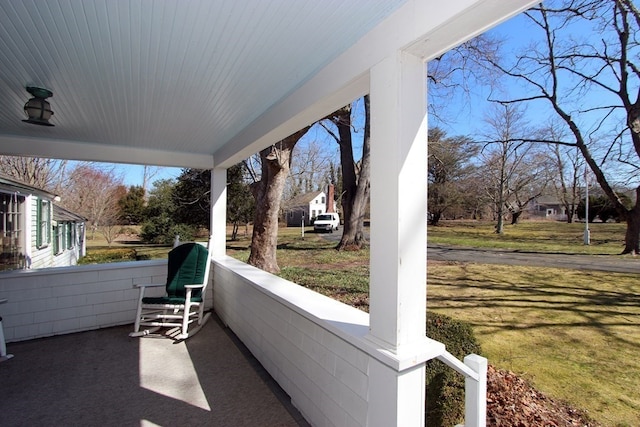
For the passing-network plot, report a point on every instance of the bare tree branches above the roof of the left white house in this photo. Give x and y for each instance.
(46, 174)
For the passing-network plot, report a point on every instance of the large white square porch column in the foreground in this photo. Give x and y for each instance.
(398, 237)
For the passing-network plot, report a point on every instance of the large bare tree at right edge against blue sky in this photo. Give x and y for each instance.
(591, 84)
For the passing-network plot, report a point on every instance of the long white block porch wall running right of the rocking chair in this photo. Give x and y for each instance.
(318, 349)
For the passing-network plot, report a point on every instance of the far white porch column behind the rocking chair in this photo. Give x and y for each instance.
(218, 221)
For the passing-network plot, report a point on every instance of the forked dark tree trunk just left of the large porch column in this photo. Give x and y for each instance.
(356, 187)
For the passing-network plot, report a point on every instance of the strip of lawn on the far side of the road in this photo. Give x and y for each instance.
(536, 236)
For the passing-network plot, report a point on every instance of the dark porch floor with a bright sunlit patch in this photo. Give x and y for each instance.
(106, 378)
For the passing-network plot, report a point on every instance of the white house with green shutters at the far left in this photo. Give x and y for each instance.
(35, 232)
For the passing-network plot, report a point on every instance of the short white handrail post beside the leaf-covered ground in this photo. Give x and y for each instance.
(475, 392)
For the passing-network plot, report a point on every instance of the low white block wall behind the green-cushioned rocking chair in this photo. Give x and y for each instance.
(64, 300)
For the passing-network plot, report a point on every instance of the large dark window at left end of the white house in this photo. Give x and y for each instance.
(11, 231)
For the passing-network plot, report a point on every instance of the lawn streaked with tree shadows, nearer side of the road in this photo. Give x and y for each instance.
(573, 334)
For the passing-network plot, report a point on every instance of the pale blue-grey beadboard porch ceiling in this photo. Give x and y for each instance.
(173, 83)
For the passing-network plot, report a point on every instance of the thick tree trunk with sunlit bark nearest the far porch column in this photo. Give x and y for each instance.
(275, 165)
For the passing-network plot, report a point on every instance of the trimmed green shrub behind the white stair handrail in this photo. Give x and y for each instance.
(445, 387)
